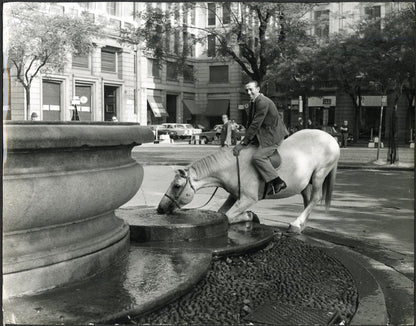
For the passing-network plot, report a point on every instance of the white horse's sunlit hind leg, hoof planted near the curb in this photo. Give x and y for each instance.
(299, 224)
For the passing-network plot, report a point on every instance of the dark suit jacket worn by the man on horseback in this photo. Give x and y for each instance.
(264, 123)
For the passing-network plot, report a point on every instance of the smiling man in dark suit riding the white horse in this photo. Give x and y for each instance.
(265, 130)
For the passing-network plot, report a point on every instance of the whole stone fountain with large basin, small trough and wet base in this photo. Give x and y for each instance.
(70, 255)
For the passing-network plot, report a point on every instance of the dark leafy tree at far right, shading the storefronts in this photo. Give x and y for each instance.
(371, 57)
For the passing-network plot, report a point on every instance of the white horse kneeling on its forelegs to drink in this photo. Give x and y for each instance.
(309, 160)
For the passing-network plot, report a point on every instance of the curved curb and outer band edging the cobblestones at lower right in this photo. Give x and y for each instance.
(386, 296)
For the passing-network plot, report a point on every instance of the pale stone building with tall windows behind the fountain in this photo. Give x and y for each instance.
(121, 81)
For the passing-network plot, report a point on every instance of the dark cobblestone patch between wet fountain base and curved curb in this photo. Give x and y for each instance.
(287, 273)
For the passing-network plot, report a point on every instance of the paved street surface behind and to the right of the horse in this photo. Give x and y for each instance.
(380, 256)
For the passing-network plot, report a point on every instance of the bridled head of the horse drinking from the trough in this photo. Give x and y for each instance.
(179, 193)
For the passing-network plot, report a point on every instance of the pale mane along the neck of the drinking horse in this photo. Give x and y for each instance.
(211, 163)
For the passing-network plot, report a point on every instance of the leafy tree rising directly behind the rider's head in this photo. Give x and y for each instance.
(253, 34)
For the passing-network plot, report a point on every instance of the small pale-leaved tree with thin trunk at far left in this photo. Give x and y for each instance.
(39, 42)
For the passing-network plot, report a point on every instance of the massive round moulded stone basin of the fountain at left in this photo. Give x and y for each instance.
(61, 185)
